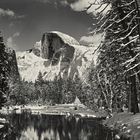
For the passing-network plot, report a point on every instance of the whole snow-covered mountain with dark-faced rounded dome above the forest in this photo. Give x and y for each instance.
(56, 54)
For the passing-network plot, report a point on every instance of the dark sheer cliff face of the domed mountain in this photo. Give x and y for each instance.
(58, 50)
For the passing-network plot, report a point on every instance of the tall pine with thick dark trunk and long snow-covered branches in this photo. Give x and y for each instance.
(121, 25)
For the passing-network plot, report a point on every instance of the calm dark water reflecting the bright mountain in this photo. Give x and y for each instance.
(26, 126)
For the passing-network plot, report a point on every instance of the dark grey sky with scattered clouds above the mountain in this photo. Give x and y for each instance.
(23, 22)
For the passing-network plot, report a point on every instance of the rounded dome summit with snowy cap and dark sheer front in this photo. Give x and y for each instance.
(56, 43)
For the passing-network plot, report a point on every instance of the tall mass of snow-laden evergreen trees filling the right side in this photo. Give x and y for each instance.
(117, 75)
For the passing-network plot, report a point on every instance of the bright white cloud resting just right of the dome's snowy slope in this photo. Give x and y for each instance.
(93, 40)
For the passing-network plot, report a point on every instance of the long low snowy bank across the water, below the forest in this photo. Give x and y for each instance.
(61, 109)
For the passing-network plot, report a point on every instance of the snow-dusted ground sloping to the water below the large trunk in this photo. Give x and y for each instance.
(126, 124)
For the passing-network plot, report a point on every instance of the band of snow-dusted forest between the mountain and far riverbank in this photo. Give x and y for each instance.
(43, 92)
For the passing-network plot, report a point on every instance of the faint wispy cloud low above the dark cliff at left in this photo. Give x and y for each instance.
(10, 41)
